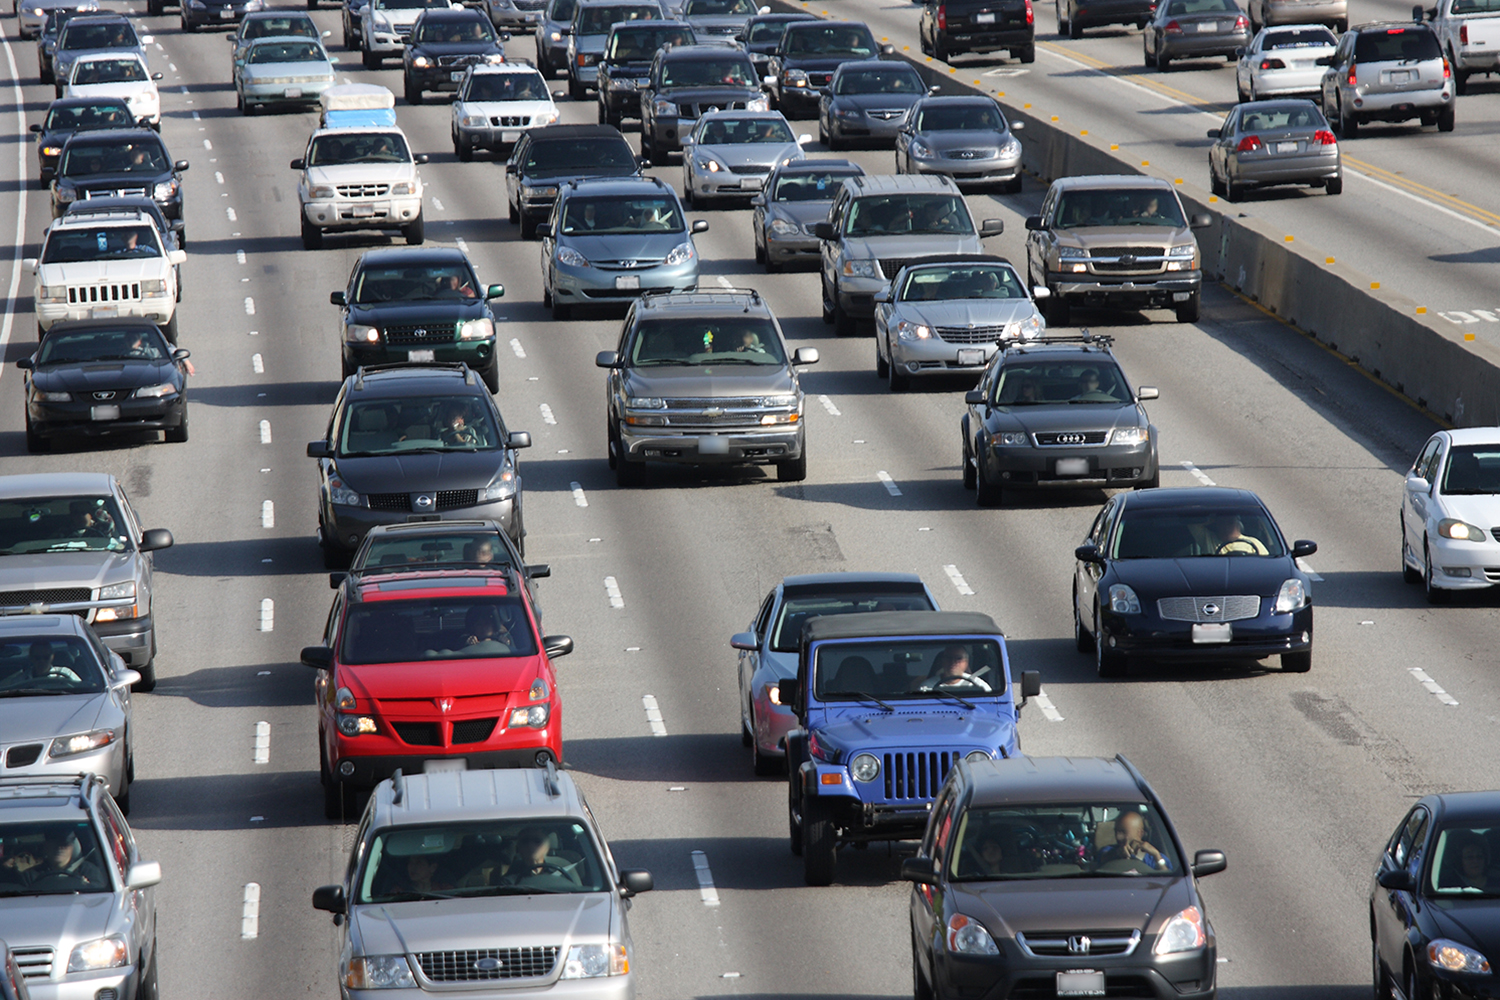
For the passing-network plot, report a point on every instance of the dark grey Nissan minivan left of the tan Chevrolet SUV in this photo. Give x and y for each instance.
(409, 445)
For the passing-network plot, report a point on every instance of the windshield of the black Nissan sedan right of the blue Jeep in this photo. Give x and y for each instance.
(1184, 534)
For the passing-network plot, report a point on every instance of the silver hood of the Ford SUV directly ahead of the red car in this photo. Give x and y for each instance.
(401, 929)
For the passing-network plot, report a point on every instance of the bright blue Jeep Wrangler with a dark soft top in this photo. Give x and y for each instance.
(886, 704)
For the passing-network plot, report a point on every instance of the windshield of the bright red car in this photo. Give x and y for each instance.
(436, 629)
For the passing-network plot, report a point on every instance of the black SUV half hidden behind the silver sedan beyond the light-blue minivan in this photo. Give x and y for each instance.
(688, 82)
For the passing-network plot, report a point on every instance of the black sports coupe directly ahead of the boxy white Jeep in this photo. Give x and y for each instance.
(104, 377)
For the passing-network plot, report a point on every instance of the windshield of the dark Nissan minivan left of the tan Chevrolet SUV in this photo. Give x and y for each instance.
(431, 424)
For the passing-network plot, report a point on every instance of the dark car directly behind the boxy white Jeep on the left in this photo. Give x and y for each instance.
(121, 164)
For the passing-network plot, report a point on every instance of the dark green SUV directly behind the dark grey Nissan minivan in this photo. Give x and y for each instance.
(422, 307)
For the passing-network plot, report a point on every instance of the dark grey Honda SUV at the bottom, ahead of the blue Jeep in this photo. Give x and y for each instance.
(1021, 855)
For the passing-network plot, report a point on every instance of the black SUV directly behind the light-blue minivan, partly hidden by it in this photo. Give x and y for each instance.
(545, 161)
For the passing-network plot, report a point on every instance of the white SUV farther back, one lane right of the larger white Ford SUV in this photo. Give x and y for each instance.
(496, 106)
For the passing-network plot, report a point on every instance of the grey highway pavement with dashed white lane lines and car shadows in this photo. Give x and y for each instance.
(1298, 779)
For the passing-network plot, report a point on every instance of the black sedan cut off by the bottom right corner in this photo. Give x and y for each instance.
(1435, 906)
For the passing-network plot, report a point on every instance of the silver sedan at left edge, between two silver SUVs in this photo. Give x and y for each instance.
(65, 704)
